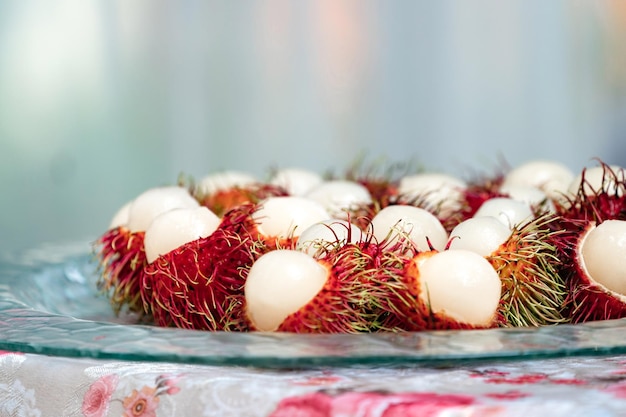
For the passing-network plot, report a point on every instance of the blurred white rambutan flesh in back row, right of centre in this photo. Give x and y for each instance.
(436, 191)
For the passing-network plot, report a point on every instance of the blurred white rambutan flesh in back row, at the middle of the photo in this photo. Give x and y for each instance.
(340, 197)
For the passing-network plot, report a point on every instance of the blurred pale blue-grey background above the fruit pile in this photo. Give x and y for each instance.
(100, 100)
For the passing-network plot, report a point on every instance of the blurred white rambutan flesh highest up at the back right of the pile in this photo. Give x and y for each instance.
(552, 177)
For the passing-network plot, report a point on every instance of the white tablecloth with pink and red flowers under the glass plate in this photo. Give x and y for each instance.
(34, 385)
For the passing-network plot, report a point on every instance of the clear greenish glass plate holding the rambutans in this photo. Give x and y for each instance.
(49, 305)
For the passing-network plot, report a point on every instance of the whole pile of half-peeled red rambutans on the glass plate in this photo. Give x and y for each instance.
(531, 245)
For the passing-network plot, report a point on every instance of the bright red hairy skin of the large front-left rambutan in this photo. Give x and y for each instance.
(200, 284)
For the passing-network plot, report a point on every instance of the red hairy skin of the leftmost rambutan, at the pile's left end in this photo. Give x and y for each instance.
(121, 258)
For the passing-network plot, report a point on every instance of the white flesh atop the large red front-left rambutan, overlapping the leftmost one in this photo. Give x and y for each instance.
(176, 227)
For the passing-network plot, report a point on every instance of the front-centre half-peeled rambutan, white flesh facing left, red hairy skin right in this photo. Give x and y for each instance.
(349, 290)
